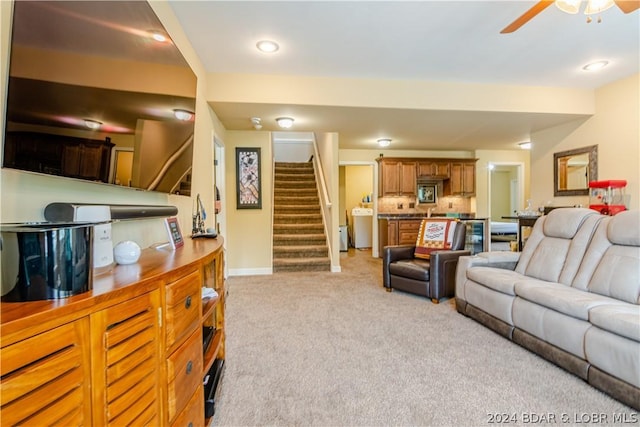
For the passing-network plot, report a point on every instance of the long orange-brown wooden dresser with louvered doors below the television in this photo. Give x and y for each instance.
(130, 351)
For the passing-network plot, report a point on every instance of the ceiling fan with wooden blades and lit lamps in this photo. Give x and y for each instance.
(571, 6)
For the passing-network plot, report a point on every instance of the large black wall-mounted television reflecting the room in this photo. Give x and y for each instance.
(98, 91)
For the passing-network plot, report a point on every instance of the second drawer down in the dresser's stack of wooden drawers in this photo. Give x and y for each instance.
(184, 373)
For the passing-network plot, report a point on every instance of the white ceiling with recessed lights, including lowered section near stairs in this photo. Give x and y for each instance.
(441, 41)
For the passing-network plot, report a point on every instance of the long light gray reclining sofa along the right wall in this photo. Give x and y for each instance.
(572, 296)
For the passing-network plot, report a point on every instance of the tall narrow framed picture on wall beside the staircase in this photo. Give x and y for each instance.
(249, 194)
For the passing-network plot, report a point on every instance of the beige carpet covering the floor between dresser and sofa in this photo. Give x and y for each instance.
(335, 349)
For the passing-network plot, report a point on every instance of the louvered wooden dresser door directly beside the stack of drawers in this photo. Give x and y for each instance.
(125, 363)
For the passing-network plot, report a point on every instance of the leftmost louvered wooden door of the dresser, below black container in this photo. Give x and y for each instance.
(45, 378)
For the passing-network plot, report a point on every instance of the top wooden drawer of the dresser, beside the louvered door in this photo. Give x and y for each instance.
(183, 308)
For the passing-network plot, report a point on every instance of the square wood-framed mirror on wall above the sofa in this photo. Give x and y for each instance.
(573, 169)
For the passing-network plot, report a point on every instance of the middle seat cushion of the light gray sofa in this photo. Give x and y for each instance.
(563, 299)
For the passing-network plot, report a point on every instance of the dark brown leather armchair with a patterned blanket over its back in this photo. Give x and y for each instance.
(433, 278)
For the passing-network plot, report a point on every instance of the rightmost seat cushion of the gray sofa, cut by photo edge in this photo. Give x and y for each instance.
(622, 320)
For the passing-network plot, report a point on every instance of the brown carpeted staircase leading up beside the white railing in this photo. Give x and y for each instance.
(299, 242)
